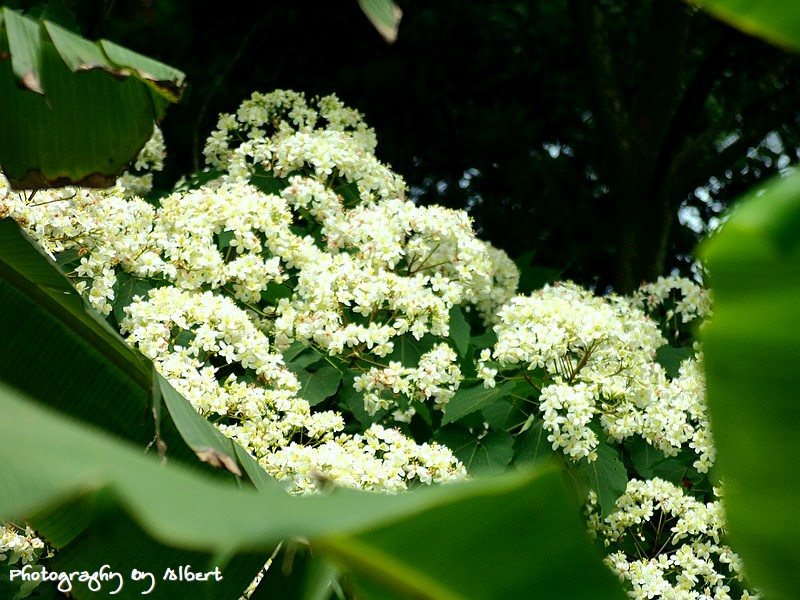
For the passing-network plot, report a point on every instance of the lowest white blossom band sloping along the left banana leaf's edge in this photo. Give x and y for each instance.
(186, 333)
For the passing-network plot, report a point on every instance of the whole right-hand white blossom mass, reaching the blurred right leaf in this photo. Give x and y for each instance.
(595, 360)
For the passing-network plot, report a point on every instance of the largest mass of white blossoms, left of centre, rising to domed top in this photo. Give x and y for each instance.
(331, 255)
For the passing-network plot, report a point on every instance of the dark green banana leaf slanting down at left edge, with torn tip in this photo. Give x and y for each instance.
(59, 350)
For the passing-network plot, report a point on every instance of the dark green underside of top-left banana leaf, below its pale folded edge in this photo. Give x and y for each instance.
(84, 132)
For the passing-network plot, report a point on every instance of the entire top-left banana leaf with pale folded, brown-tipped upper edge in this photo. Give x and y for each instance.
(75, 112)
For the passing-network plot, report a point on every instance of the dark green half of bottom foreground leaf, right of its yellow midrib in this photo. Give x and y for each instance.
(503, 557)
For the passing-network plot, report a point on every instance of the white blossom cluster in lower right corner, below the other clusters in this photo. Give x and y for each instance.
(669, 545)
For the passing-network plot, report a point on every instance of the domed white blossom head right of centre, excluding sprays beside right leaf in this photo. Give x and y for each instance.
(598, 357)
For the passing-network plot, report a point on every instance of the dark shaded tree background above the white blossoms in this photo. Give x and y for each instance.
(600, 138)
